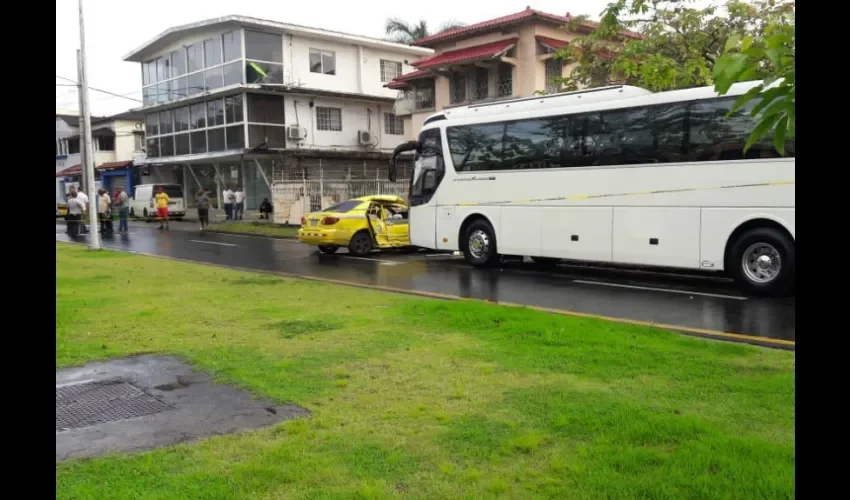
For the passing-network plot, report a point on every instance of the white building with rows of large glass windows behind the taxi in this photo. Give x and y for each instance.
(240, 101)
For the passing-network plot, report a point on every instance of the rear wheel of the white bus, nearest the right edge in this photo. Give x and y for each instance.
(762, 261)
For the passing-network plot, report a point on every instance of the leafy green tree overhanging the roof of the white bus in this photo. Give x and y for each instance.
(683, 46)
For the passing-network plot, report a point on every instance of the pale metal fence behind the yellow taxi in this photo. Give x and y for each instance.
(293, 199)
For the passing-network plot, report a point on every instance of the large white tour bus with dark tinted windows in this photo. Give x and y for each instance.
(613, 175)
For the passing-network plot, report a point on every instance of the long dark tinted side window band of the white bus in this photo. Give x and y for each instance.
(665, 133)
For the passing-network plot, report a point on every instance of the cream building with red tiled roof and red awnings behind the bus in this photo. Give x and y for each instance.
(507, 57)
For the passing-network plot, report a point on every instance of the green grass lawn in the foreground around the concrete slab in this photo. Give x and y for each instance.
(422, 398)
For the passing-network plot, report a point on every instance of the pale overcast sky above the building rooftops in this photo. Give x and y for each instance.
(115, 27)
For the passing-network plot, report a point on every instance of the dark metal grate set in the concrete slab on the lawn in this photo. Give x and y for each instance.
(81, 405)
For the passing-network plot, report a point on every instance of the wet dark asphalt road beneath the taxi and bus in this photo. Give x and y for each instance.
(692, 303)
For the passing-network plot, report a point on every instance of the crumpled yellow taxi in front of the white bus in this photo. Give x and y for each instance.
(362, 225)
